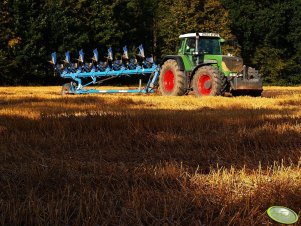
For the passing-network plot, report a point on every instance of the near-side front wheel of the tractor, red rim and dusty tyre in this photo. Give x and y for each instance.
(209, 81)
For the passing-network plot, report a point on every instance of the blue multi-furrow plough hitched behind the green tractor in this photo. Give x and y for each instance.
(99, 71)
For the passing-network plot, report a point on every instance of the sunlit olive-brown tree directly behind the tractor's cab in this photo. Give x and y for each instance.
(179, 16)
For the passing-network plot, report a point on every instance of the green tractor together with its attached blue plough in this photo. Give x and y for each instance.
(199, 66)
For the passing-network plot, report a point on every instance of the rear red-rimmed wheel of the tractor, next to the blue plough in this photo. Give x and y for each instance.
(171, 79)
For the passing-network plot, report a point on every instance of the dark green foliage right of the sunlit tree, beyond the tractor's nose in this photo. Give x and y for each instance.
(269, 33)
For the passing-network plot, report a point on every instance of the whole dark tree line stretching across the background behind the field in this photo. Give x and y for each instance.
(267, 33)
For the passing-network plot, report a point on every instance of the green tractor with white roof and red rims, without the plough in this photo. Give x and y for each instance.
(205, 71)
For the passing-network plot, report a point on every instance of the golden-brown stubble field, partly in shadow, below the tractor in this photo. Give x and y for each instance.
(147, 159)
